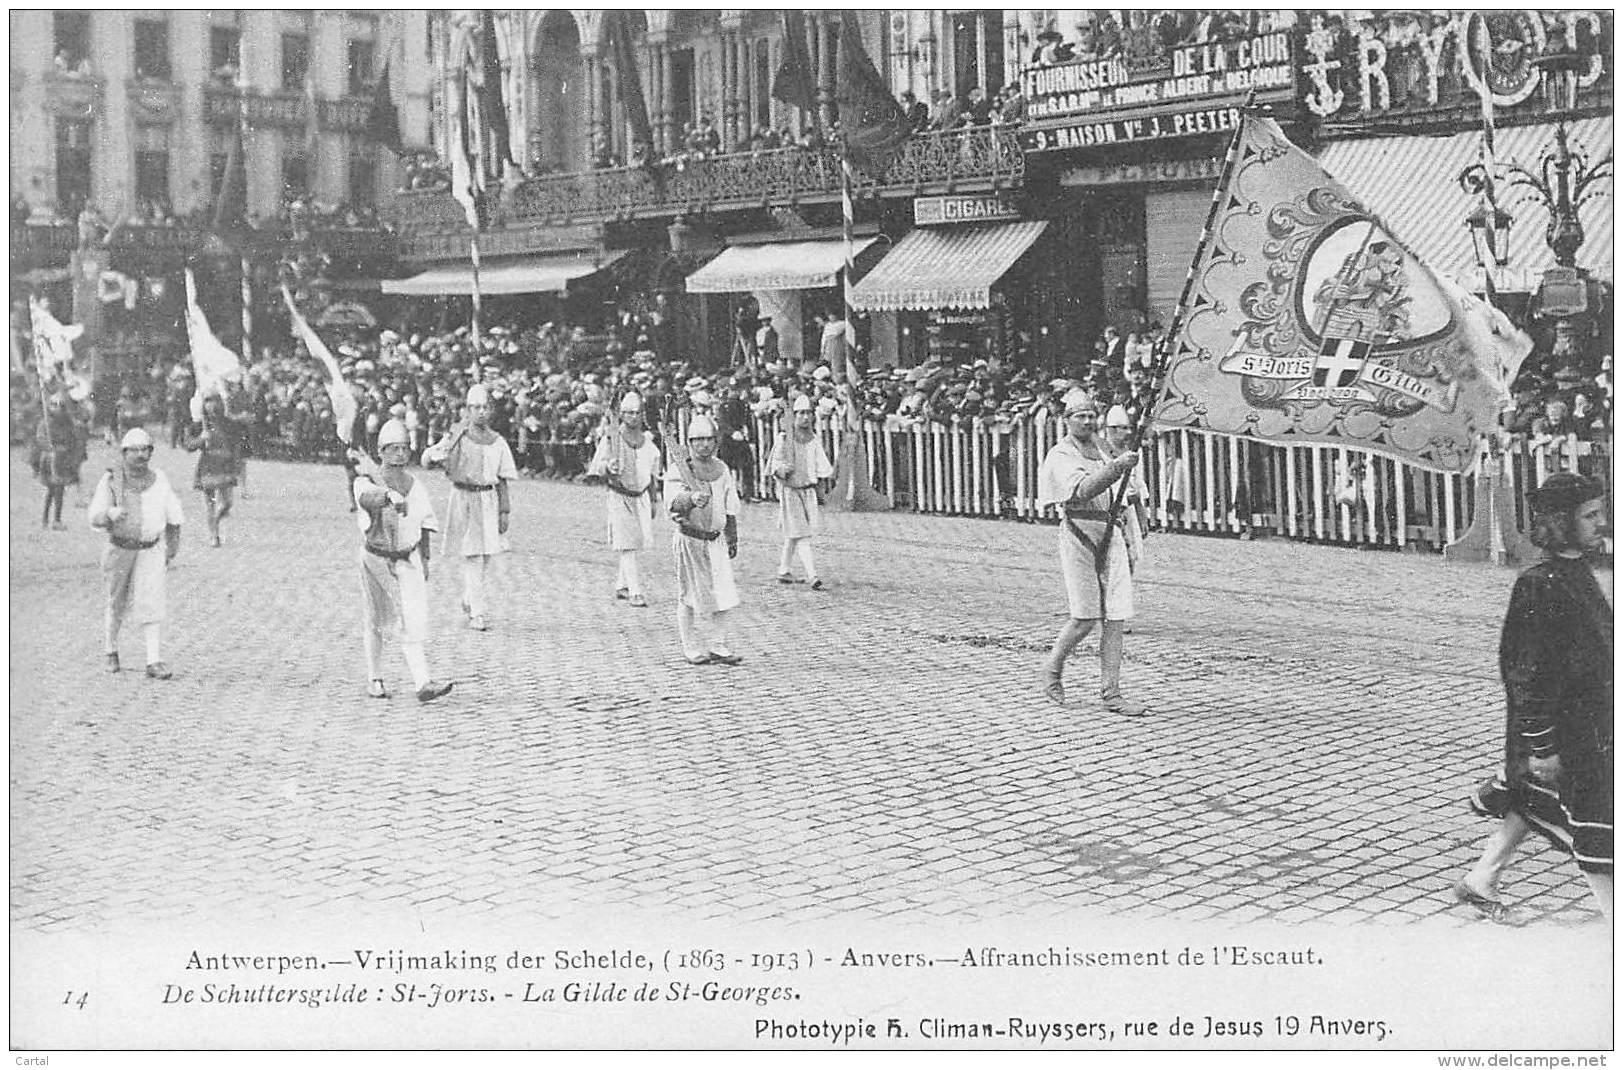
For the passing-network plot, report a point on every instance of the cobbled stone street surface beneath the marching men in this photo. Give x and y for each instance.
(884, 751)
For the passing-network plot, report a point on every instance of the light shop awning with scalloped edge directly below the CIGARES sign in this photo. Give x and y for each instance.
(945, 267)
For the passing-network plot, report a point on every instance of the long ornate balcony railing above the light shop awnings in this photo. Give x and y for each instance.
(988, 158)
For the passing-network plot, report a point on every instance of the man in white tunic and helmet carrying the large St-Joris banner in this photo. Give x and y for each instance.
(1080, 477)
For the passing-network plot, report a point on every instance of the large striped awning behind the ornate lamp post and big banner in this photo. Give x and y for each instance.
(1411, 183)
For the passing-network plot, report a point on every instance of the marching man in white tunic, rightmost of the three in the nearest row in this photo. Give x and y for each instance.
(705, 504)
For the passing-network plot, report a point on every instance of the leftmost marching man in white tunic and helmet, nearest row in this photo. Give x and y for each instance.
(139, 509)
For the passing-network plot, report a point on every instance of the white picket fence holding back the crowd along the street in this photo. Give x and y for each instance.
(1199, 481)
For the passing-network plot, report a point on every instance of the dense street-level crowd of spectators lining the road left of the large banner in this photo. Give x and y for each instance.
(553, 387)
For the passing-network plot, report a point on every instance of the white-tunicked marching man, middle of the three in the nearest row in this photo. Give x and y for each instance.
(397, 519)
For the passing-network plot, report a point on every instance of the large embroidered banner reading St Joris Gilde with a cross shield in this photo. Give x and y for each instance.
(1309, 322)
